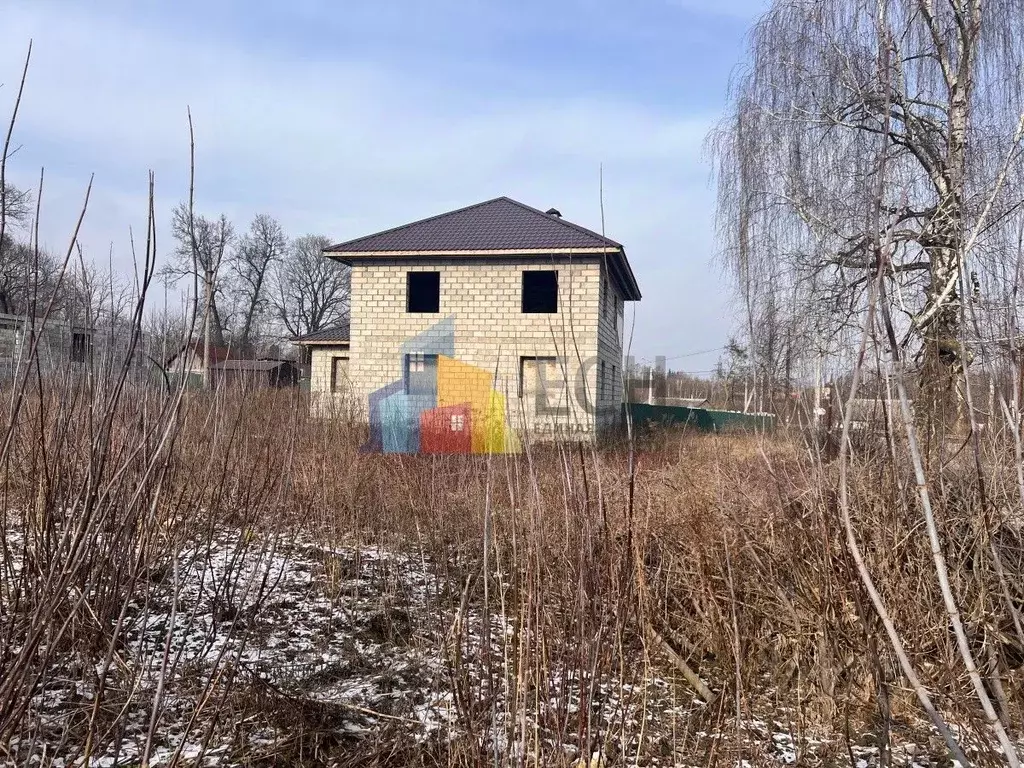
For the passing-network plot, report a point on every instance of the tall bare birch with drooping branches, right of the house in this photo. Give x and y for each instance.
(796, 155)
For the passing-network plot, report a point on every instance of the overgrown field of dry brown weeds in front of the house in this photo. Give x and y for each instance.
(221, 580)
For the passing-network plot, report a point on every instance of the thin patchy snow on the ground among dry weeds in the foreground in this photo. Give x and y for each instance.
(239, 645)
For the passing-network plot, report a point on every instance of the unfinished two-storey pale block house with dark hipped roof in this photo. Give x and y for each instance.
(476, 328)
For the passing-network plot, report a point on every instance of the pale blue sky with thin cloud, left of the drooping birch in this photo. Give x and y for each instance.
(345, 118)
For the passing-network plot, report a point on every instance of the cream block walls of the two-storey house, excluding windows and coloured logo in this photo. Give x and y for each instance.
(491, 331)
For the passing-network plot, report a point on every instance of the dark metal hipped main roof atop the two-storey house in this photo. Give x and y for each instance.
(502, 225)
